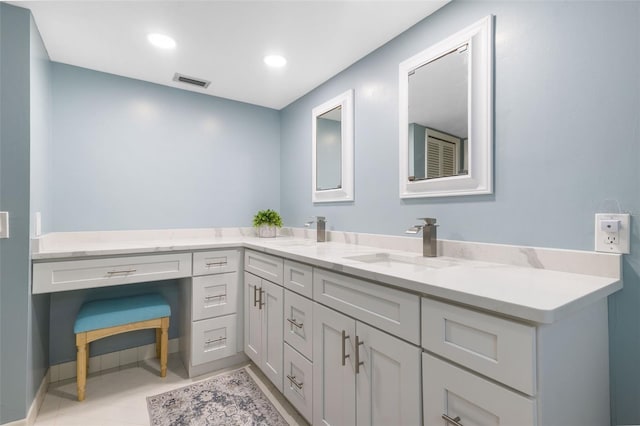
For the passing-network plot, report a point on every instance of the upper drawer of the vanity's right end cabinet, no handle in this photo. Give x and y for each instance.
(498, 348)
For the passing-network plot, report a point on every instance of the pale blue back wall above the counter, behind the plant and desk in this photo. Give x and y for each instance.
(134, 155)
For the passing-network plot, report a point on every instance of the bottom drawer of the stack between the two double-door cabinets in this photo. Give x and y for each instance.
(298, 382)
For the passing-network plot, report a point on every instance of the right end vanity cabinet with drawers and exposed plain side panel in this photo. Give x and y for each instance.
(483, 369)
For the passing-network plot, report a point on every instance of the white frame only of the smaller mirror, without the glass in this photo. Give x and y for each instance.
(345, 193)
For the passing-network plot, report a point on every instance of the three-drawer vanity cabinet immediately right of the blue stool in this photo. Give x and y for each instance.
(211, 326)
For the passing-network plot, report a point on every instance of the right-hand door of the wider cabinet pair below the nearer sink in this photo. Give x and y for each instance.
(388, 381)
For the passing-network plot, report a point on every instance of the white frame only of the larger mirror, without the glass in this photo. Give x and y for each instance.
(479, 179)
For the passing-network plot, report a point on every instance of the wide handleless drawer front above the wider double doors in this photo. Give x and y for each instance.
(393, 311)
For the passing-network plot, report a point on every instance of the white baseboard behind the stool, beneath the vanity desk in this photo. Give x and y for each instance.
(111, 360)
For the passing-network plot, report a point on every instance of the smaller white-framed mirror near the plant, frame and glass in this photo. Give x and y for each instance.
(332, 150)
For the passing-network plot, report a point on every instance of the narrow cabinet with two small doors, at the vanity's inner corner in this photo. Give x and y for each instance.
(263, 314)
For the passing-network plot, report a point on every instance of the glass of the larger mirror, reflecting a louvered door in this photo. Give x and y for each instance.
(438, 131)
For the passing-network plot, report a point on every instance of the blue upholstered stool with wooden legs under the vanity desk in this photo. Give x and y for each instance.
(103, 318)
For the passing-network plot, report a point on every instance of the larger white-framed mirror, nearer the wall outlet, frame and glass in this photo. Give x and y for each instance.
(446, 116)
